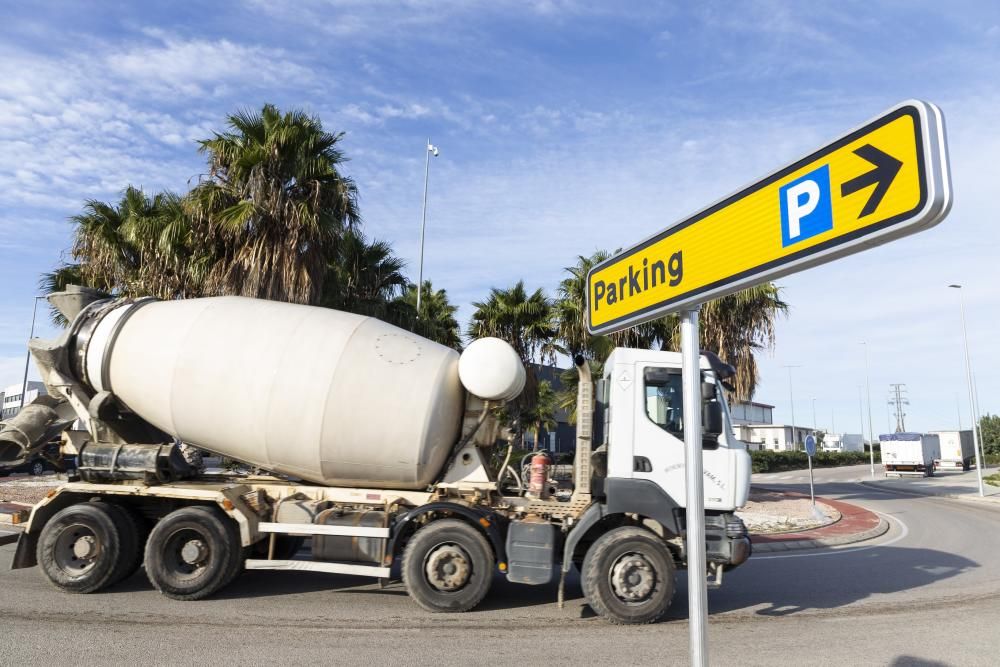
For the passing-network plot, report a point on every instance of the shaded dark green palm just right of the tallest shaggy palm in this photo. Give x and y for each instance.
(364, 278)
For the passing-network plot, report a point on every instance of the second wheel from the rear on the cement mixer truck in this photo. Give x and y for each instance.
(191, 553)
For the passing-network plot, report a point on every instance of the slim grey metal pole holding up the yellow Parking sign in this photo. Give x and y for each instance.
(697, 566)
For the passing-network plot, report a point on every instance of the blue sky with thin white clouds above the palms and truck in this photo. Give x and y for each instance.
(564, 126)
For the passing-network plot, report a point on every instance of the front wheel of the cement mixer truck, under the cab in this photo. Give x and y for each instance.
(628, 576)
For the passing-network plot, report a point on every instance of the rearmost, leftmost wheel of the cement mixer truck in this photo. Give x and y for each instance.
(79, 548)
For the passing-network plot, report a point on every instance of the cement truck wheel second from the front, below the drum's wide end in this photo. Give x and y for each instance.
(448, 566)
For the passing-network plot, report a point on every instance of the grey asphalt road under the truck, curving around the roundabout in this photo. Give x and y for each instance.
(926, 593)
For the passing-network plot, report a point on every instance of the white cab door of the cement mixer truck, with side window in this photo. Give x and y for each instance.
(658, 445)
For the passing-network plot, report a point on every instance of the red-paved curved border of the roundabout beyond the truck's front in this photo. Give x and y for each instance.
(869, 524)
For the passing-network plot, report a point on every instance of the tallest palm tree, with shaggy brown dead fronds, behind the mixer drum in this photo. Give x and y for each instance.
(274, 205)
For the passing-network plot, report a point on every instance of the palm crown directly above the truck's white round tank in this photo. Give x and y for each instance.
(524, 321)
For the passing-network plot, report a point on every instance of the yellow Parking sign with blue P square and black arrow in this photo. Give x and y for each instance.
(886, 179)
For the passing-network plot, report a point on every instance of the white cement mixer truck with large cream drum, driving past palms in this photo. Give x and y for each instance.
(371, 443)
